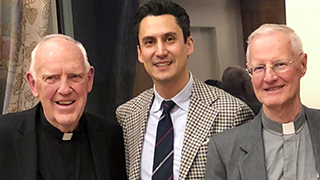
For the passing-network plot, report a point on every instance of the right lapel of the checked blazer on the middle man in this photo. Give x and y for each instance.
(199, 121)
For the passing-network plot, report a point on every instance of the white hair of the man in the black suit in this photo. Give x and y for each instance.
(52, 36)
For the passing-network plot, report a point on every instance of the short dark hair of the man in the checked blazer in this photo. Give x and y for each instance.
(161, 7)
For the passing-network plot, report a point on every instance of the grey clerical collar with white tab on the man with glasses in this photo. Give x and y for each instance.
(288, 128)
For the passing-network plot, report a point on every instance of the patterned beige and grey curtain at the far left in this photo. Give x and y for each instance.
(23, 24)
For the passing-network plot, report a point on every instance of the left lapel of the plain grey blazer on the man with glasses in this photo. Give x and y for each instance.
(253, 164)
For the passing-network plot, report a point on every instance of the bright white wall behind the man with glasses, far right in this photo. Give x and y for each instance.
(303, 17)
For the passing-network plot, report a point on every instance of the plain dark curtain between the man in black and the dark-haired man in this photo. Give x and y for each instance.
(105, 28)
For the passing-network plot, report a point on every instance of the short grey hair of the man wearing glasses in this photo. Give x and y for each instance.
(296, 42)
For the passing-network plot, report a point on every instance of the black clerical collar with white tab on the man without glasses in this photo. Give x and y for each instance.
(56, 133)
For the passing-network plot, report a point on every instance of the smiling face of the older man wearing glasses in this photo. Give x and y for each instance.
(276, 89)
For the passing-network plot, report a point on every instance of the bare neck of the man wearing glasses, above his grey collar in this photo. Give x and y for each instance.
(283, 114)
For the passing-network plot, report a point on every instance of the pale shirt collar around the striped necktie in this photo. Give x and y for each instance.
(181, 99)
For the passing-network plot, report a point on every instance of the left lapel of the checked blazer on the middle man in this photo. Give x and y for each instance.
(137, 137)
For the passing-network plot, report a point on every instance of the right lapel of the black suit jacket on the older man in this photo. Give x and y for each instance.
(98, 145)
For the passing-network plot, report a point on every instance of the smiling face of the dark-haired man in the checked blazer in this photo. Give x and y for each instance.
(162, 50)
